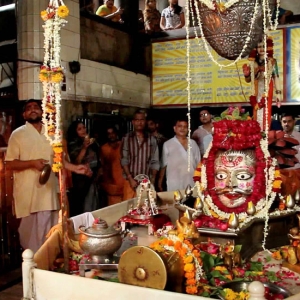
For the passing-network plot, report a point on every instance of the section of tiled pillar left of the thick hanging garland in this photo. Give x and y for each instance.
(30, 48)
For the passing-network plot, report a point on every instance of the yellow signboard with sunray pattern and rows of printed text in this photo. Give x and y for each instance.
(210, 84)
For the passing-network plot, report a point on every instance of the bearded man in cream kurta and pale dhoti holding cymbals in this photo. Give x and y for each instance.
(27, 152)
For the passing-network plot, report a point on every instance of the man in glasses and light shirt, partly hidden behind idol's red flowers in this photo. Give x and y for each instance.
(205, 129)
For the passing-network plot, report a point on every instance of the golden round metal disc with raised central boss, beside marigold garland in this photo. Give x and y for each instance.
(142, 266)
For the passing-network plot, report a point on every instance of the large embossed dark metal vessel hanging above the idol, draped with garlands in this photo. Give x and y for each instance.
(226, 32)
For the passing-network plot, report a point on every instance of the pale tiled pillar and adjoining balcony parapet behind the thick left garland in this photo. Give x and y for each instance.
(95, 82)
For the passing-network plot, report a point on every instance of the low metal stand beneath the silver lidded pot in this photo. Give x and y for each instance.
(109, 267)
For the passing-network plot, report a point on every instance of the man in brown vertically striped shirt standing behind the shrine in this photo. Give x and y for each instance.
(139, 155)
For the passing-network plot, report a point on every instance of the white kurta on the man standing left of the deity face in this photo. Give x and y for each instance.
(175, 158)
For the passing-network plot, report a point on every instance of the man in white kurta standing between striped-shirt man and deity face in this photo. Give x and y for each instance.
(174, 159)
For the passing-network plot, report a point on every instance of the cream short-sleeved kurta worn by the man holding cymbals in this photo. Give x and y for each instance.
(26, 143)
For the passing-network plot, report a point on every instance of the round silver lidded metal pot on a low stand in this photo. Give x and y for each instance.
(100, 241)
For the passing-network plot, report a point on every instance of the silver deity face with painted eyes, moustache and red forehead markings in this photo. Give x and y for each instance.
(234, 176)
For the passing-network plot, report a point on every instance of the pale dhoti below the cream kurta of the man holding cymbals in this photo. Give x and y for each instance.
(34, 228)
